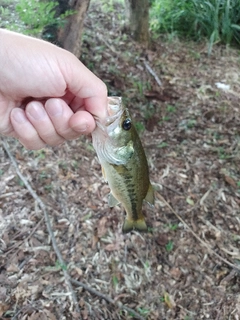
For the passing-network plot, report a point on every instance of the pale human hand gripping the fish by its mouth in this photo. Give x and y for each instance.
(47, 96)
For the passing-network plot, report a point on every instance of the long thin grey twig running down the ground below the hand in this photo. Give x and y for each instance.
(48, 224)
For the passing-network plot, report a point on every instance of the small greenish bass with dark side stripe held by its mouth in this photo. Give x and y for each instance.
(124, 164)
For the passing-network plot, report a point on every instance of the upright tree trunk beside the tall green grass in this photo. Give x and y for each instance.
(137, 12)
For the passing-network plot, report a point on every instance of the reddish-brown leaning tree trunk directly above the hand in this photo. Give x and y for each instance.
(70, 35)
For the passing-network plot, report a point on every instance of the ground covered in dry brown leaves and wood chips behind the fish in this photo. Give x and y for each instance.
(186, 269)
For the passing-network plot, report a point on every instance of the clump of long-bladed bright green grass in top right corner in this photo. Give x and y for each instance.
(216, 20)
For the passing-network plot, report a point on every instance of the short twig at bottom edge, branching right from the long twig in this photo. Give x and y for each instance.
(107, 298)
